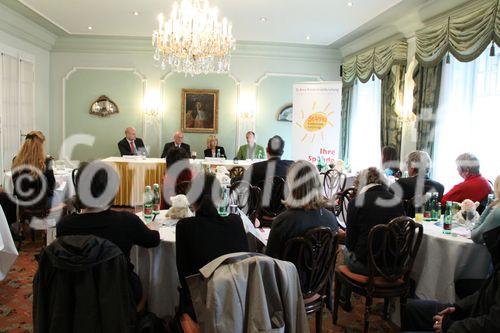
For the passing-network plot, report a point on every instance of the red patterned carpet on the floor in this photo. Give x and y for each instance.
(16, 301)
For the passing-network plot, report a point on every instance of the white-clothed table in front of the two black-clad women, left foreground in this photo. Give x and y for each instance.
(157, 268)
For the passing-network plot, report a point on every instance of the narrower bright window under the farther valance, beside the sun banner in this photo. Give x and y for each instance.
(364, 138)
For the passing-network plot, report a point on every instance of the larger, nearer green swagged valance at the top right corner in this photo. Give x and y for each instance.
(465, 35)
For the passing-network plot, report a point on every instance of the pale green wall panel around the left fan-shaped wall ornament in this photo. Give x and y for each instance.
(86, 85)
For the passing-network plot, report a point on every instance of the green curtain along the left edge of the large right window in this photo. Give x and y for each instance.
(425, 102)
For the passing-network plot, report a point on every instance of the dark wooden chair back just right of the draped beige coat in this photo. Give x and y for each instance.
(314, 255)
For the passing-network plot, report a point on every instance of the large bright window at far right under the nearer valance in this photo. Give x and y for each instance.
(468, 117)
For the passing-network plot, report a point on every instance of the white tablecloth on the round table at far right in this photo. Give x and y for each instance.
(443, 259)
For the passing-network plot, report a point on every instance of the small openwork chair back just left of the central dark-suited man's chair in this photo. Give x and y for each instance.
(245, 196)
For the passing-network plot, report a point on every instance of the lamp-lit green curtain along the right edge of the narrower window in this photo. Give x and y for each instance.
(392, 102)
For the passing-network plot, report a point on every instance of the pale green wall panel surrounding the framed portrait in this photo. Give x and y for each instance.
(228, 93)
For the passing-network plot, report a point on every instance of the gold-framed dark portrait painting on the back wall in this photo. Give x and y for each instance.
(199, 110)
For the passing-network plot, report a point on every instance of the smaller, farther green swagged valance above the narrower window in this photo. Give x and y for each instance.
(378, 61)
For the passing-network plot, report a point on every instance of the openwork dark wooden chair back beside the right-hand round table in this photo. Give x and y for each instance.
(392, 249)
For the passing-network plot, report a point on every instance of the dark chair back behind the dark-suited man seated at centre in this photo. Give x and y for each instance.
(271, 198)
